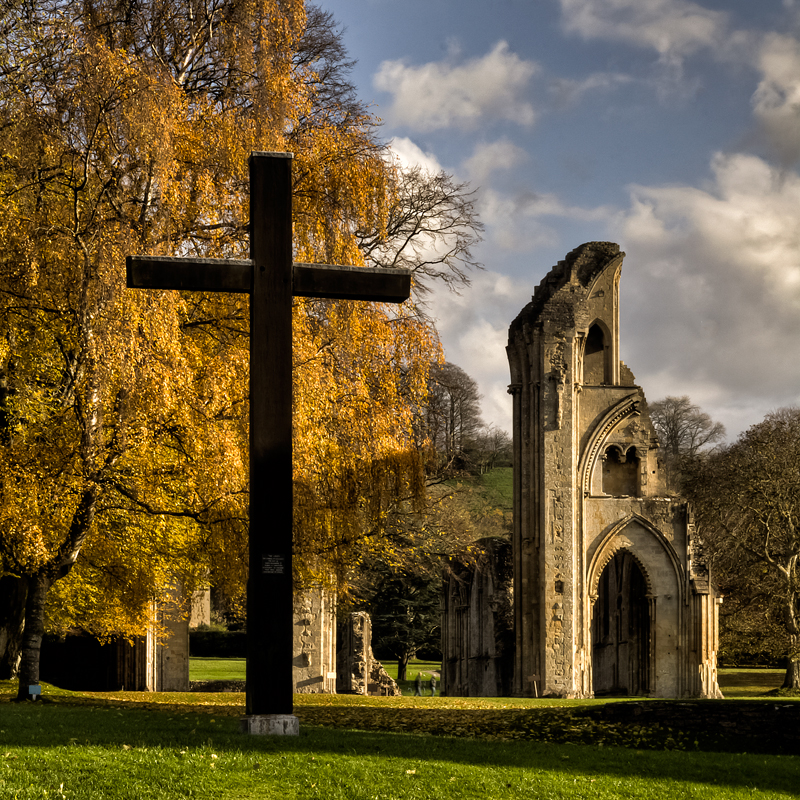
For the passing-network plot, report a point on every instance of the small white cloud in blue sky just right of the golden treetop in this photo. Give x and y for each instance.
(443, 94)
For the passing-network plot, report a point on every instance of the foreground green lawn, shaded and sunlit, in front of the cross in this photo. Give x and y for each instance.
(98, 753)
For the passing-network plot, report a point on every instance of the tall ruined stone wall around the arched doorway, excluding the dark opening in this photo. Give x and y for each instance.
(586, 464)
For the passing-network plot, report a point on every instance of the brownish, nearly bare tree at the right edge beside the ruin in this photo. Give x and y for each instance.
(747, 503)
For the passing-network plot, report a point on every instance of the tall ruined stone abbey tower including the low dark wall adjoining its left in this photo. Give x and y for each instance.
(607, 591)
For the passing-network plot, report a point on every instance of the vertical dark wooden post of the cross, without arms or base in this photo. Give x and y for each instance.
(269, 589)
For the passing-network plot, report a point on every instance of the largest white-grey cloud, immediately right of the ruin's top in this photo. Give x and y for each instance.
(711, 290)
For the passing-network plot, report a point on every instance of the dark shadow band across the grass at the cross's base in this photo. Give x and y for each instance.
(58, 726)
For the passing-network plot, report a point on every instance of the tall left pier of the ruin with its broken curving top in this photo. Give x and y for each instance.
(545, 356)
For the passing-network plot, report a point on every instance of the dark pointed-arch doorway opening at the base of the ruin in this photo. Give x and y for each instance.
(621, 630)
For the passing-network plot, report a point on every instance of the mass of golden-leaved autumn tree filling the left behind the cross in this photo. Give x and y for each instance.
(126, 128)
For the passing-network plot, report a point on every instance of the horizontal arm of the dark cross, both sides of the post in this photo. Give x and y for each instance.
(230, 275)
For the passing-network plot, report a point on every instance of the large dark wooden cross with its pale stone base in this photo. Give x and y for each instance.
(271, 278)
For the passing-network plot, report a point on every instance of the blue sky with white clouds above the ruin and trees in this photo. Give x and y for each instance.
(670, 127)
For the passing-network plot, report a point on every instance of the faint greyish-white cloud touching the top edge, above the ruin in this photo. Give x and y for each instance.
(674, 28)
